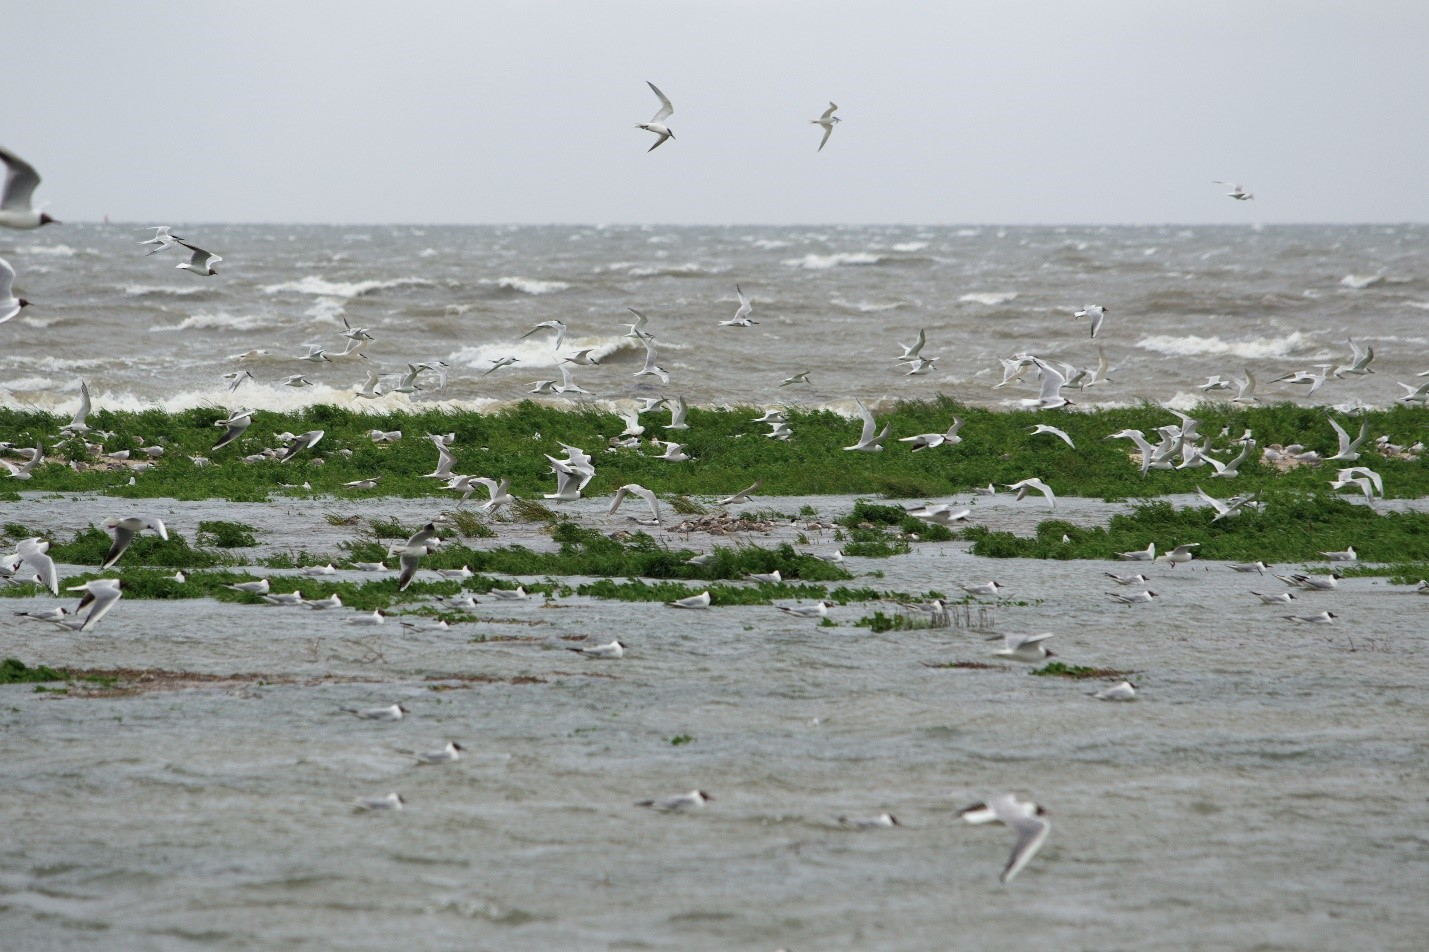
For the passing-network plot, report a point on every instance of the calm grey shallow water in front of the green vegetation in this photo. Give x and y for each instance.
(1267, 793)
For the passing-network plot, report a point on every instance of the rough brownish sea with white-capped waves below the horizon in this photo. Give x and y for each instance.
(1185, 304)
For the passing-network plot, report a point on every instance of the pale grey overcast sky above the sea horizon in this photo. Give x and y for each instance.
(1032, 112)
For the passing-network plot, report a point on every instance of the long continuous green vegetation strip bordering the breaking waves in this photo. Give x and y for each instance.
(730, 451)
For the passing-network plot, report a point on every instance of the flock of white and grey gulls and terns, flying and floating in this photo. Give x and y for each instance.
(1172, 447)
